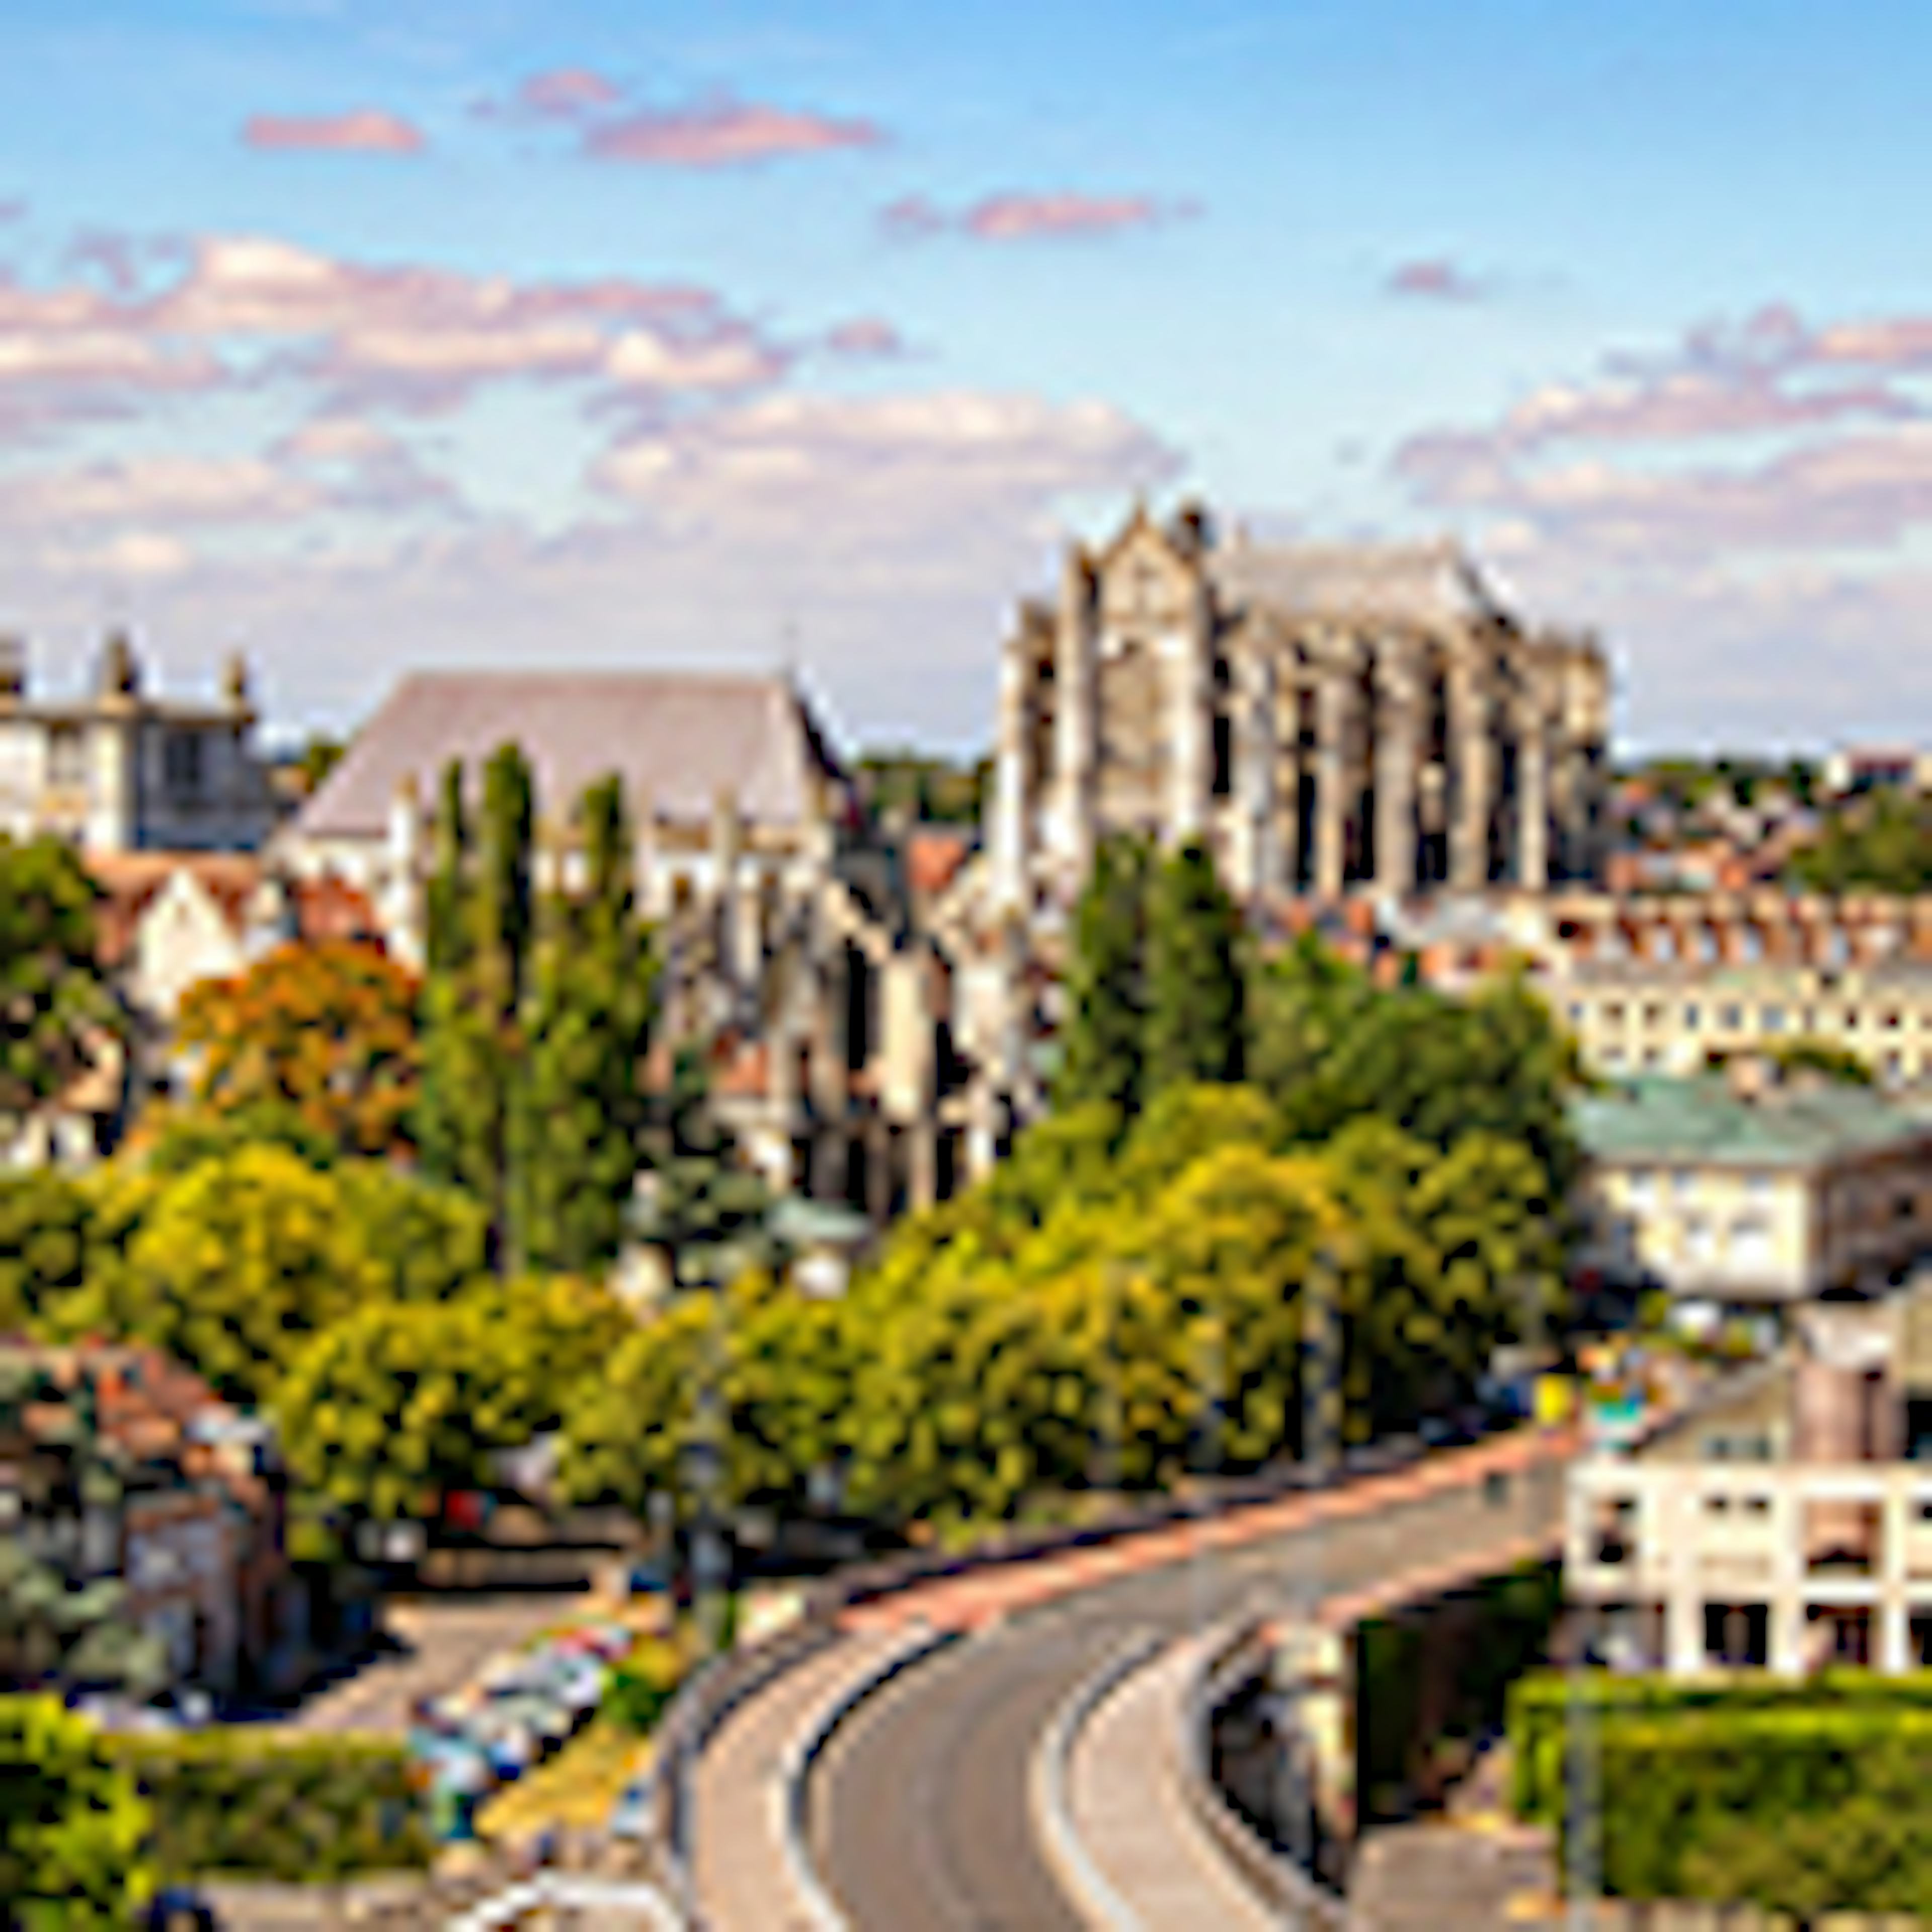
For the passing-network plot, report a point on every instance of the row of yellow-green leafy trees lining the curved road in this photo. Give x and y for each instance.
(1096, 1313)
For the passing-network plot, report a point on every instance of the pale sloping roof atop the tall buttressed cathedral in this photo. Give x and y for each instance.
(1423, 584)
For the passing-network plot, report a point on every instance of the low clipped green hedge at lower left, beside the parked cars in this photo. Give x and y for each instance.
(275, 1805)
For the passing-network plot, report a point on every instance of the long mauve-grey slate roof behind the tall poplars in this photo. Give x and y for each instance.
(677, 737)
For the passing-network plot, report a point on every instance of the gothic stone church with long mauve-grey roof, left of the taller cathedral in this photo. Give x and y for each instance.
(865, 1040)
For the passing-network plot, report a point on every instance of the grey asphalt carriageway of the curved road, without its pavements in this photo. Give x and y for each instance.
(919, 1807)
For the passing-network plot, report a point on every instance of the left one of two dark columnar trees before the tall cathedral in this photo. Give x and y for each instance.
(1106, 994)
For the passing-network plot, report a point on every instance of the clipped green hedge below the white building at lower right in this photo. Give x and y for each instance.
(1792, 1796)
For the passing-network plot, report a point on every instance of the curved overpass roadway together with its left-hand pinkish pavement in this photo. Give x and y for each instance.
(890, 1780)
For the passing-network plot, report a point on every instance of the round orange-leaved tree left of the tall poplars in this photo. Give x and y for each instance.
(326, 1029)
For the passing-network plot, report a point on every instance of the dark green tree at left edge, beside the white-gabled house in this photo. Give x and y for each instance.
(53, 1000)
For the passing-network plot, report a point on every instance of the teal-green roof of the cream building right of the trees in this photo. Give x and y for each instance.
(1703, 1120)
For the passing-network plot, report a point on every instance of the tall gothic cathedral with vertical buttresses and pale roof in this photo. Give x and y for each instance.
(1328, 720)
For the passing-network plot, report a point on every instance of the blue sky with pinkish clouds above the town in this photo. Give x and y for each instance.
(501, 331)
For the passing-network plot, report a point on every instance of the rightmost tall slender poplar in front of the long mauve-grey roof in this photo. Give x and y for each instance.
(582, 1106)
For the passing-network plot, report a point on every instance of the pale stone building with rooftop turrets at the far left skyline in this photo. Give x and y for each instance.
(123, 770)
